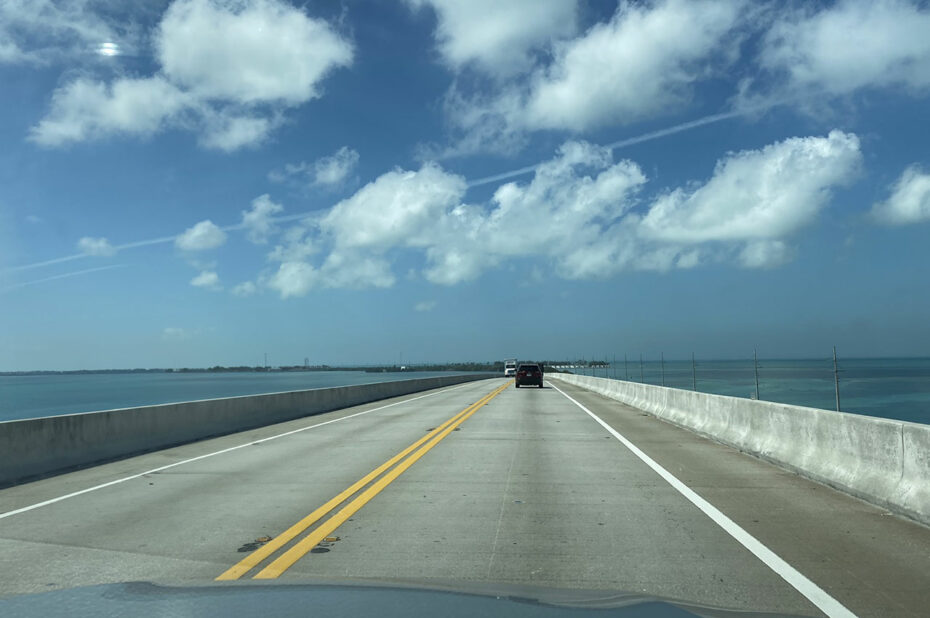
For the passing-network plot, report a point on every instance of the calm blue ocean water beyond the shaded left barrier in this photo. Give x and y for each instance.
(51, 395)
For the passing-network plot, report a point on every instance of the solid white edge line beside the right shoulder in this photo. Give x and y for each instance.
(814, 593)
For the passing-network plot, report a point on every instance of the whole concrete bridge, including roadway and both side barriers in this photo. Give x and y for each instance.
(586, 484)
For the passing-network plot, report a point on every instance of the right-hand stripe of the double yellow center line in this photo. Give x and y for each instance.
(296, 552)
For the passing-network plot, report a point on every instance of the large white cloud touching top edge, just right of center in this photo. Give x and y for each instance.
(640, 64)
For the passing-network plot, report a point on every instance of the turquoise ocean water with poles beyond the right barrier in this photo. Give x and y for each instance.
(896, 388)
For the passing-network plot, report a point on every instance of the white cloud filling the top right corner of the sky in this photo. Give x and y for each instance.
(850, 45)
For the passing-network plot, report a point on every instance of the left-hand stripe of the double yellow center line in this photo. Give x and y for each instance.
(256, 557)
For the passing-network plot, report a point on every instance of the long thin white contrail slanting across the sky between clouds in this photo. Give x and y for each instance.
(645, 137)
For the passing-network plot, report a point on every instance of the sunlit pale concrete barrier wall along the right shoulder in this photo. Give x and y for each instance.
(883, 461)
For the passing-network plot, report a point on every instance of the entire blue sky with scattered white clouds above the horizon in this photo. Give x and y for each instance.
(203, 182)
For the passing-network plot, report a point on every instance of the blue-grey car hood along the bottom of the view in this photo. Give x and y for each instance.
(347, 598)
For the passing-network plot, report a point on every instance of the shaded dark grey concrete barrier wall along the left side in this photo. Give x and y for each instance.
(42, 446)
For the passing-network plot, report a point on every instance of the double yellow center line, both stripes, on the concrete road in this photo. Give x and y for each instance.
(292, 555)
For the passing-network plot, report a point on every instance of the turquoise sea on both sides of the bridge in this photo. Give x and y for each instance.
(888, 387)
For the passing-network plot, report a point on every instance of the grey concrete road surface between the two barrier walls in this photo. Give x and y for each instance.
(529, 489)
